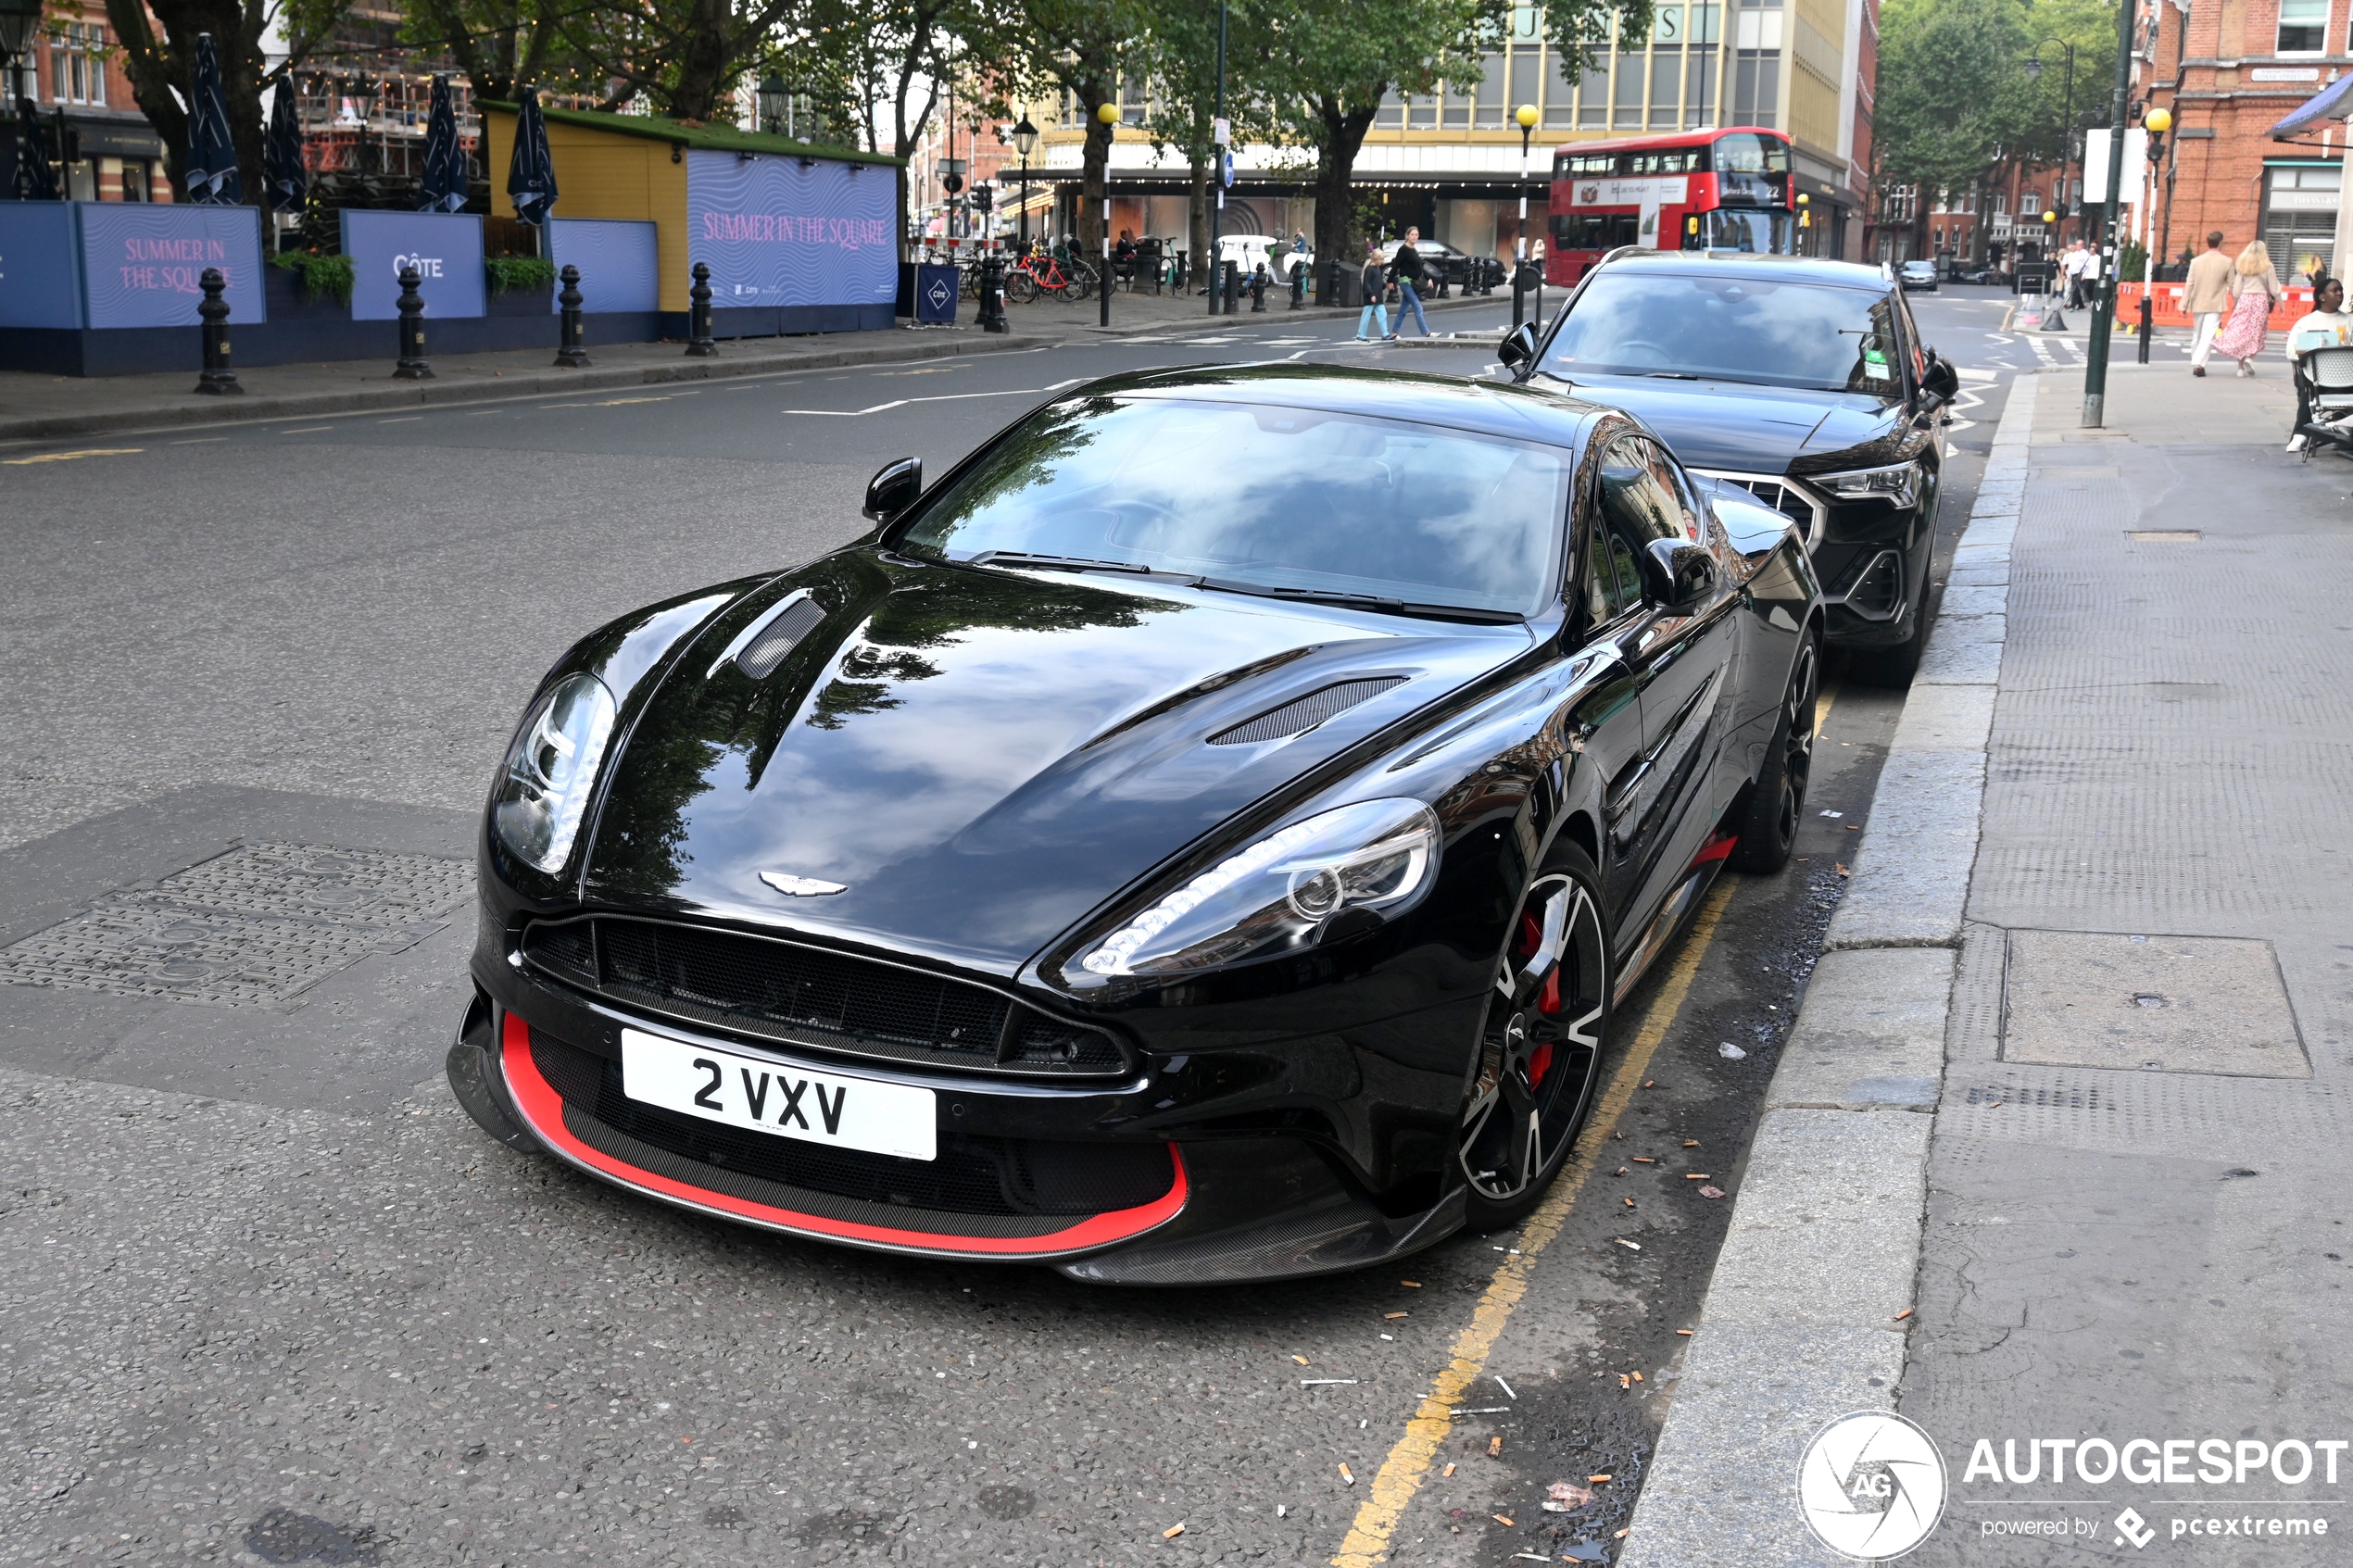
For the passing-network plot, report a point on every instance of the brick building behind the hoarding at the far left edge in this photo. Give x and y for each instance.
(76, 81)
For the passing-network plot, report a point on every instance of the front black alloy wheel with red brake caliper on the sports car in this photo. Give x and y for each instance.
(1540, 1050)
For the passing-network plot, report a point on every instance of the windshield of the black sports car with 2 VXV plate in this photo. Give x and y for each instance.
(1267, 500)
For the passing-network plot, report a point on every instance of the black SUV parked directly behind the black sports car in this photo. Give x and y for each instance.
(1799, 380)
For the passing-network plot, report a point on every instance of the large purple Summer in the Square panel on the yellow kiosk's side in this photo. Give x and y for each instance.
(787, 234)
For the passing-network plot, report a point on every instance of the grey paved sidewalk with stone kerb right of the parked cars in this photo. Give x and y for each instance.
(2100, 932)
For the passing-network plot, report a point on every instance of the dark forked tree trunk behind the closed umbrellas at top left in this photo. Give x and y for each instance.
(161, 65)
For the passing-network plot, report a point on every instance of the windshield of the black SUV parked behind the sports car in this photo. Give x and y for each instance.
(1724, 328)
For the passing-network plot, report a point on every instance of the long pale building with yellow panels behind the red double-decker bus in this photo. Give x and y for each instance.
(1451, 161)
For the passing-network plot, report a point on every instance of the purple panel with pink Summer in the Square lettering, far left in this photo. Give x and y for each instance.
(142, 262)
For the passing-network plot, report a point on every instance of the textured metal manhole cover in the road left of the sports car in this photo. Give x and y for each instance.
(253, 927)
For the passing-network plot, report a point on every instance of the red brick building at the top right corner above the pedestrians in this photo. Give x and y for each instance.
(2229, 72)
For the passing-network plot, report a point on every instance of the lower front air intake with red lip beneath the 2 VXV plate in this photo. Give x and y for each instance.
(996, 1186)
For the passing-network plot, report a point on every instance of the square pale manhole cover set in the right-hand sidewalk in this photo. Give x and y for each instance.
(2171, 1003)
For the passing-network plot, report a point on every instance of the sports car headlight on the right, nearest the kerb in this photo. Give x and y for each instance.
(1279, 892)
